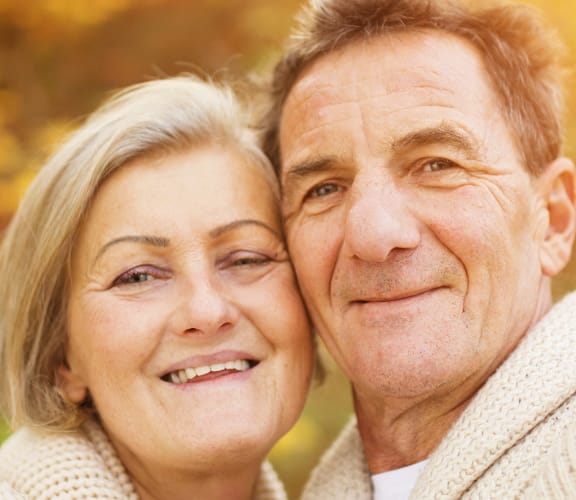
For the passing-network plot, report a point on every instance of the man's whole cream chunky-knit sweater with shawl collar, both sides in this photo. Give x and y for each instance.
(516, 439)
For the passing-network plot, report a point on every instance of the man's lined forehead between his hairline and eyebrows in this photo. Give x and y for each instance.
(388, 88)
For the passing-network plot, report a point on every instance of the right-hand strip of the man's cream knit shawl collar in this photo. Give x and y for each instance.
(533, 382)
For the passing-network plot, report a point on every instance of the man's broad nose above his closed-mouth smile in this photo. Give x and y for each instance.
(379, 220)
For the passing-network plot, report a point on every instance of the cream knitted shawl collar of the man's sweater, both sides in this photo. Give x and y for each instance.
(532, 383)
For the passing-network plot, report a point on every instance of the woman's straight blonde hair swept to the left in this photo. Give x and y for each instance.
(156, 117)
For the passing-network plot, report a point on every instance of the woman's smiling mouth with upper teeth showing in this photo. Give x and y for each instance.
(200, 368)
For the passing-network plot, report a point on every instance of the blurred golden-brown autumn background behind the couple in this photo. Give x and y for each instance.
(60, 58)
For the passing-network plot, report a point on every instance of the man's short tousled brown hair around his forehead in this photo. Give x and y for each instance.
(522, 58)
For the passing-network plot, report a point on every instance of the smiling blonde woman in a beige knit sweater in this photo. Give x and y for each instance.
(153, 343)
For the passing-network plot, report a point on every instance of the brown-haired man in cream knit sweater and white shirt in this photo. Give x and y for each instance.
(427, 205)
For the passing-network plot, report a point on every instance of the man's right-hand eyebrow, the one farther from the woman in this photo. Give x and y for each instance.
(442, 134)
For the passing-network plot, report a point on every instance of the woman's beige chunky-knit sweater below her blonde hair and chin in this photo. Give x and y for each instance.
(40, 465)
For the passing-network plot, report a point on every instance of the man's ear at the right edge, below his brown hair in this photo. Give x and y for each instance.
(558, 190)
